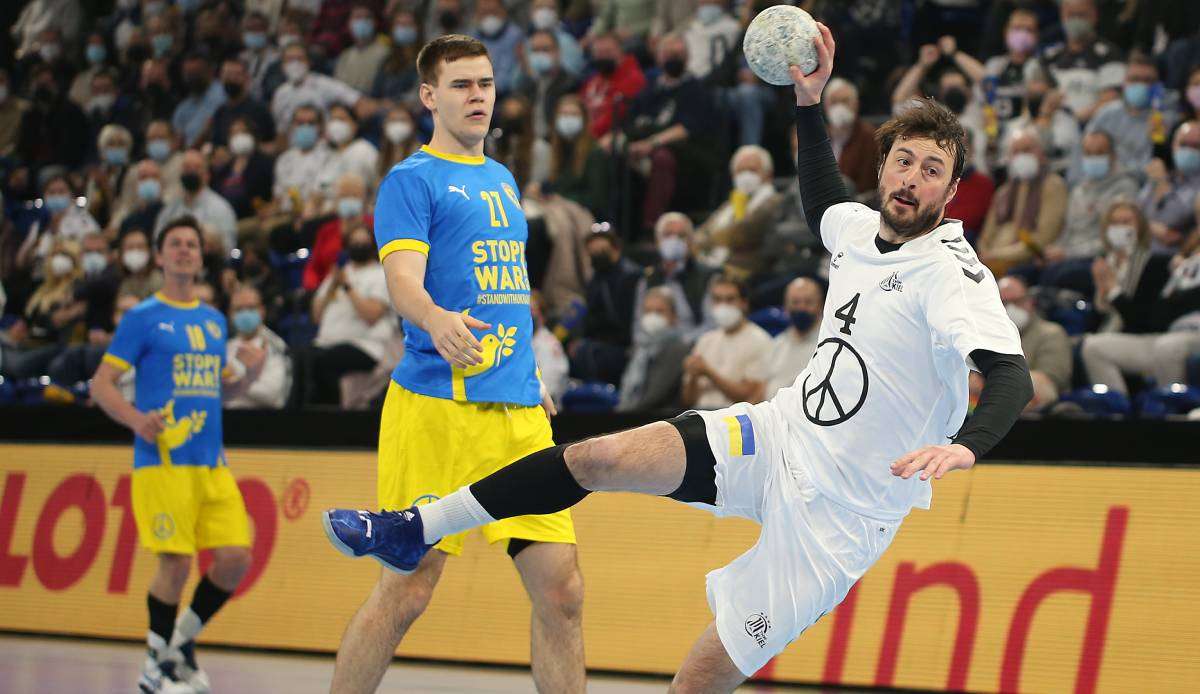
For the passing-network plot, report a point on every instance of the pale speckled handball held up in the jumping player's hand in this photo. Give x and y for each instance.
(778, 38)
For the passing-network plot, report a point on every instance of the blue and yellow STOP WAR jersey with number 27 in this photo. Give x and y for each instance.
(465, 214)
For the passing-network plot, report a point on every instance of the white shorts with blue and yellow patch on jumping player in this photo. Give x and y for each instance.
(811, 551)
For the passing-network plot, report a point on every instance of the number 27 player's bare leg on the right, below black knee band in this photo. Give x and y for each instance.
(551, 577)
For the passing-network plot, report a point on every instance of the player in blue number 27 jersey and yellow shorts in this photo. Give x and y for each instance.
(466, 399)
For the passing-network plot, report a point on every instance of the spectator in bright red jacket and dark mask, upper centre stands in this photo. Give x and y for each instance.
(609, 93)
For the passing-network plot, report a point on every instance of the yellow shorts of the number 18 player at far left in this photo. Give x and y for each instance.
(182, 510)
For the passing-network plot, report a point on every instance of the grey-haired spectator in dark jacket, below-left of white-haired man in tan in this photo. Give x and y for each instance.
(681, 274)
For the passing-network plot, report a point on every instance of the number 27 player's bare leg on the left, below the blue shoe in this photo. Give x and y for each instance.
(373, 636)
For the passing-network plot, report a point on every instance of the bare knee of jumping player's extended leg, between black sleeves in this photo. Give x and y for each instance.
(650, 459)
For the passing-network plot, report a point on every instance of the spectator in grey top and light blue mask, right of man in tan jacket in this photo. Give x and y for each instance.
(1067, 262)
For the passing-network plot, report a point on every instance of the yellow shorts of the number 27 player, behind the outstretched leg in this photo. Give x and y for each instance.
(430, 447)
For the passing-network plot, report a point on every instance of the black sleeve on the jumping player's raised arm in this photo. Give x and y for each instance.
(821, 184)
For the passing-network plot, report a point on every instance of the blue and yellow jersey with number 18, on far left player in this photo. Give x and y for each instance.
(179, 352)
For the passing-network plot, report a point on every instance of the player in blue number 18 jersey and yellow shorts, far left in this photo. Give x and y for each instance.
(184, 496)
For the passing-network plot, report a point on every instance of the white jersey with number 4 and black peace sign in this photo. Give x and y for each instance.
(890, 373)
